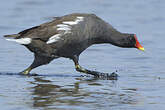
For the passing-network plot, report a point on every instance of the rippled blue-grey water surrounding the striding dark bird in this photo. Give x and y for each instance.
(142, 79)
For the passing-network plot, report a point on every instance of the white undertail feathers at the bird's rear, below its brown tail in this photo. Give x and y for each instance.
(24, 41)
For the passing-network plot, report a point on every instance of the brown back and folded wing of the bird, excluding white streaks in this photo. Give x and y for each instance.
(46, 30)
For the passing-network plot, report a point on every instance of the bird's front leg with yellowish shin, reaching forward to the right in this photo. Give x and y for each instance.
(97, 74)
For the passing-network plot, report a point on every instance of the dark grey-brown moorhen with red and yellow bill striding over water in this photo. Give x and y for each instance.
(68, 36)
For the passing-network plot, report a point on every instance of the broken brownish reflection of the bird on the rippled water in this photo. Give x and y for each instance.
(47, 94)
